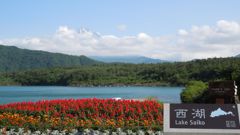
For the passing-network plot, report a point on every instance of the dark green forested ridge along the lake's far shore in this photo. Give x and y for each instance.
(178, 73)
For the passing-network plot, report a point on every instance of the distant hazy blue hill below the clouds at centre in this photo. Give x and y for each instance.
(126, 59)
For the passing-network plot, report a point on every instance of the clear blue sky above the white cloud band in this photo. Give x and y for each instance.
(156, 18)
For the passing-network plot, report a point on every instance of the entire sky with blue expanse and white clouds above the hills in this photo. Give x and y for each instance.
(177, 30)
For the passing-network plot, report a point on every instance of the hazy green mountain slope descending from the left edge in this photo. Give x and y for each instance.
(14, 59)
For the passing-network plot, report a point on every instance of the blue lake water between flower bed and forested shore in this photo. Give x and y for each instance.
(10, 94)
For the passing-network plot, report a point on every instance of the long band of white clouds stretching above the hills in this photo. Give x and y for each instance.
(220, 40)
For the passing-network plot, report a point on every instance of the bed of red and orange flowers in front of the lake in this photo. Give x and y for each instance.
(68, 114)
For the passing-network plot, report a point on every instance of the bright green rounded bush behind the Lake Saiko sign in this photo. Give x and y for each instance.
(193, 91)
